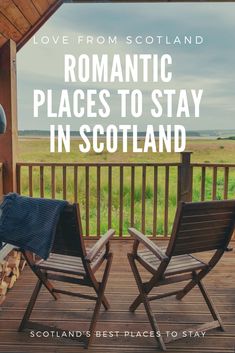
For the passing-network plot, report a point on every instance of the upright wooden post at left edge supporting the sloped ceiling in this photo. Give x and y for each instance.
(8, 99)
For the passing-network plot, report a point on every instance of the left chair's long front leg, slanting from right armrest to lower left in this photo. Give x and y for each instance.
(100, 299)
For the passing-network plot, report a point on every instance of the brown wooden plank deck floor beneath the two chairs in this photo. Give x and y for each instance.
(74, 314)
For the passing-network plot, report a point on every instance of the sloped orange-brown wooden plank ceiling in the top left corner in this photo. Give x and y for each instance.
(20, 19)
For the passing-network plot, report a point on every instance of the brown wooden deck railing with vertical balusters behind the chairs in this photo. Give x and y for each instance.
(119, 195)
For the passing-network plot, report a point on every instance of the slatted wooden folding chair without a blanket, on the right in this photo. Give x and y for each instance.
(198, 227)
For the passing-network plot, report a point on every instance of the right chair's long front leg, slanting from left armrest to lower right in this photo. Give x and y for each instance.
(144, 299)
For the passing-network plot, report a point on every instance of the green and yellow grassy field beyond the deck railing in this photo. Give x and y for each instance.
(209, 151)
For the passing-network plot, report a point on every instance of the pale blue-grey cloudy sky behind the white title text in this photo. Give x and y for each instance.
(209, 66)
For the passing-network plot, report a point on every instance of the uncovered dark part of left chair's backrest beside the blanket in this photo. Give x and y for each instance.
(68, 237)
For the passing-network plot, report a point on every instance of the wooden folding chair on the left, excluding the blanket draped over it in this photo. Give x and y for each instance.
(70, 262)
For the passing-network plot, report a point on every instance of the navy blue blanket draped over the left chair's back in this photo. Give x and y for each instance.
(30, 223)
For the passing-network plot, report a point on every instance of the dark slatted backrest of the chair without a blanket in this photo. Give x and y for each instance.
(202, 226)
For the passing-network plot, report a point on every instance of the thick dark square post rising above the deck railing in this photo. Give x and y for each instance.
(185, 180)
